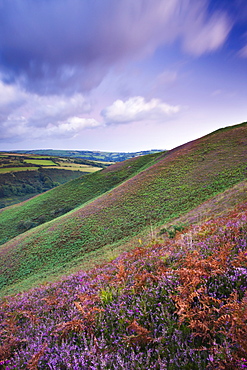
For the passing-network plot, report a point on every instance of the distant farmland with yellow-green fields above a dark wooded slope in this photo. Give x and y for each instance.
(24, 175)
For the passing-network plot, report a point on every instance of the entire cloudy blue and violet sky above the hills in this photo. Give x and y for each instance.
(120, 75)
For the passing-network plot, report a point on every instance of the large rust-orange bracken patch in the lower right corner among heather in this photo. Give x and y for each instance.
(211, 318)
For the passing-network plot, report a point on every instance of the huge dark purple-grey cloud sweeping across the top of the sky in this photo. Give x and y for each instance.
(70, 45)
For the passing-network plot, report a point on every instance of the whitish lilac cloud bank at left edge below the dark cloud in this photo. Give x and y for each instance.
(23, 115)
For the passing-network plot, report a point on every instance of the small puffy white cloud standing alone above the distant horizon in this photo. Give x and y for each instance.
(138, 109)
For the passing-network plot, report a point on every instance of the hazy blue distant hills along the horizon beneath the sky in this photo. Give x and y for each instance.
(91, 155)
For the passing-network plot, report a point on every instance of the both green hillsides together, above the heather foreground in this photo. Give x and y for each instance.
(176, 182)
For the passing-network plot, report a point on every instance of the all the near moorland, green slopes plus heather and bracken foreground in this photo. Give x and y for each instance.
(173, 293)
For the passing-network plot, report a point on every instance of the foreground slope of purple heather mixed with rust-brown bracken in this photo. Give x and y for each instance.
(179, 303)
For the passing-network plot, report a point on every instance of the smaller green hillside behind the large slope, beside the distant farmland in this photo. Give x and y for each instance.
(62, 199)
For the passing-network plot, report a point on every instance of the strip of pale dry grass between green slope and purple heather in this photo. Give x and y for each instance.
(219, 206)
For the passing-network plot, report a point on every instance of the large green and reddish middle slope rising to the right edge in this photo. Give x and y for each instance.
(179, 181)
